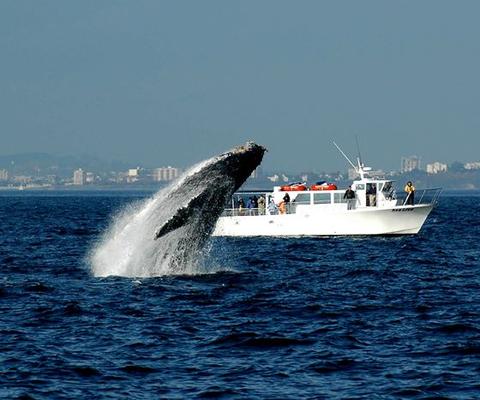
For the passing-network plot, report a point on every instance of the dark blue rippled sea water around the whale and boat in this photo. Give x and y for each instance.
(373, 317)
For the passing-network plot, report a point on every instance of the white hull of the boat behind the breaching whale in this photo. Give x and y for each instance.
(399, 220)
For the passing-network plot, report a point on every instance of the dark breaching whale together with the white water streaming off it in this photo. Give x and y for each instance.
(167, 233)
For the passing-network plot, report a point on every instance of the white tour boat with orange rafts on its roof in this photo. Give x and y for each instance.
(326, 213)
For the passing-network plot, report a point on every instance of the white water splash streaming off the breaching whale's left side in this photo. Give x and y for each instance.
(127, 247)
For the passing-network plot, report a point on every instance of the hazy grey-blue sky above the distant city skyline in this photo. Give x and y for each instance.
(175, 82)
